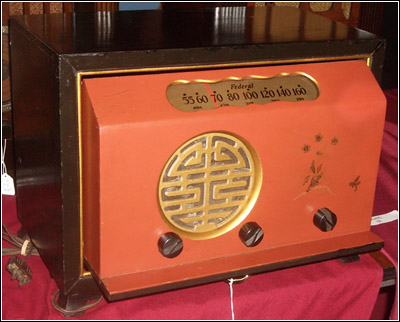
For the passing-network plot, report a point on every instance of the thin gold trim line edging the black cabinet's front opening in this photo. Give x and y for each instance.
(81, 74)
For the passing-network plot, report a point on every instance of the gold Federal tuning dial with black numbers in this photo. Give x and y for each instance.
(197, 95)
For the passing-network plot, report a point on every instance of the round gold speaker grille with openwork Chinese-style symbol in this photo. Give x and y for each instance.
(209, 185)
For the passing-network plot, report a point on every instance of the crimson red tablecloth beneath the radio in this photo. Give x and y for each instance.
(321, 291)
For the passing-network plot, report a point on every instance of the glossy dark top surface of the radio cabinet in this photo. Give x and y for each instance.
(171, 29)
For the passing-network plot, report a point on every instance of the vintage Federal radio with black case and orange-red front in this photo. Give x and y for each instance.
(148, 159)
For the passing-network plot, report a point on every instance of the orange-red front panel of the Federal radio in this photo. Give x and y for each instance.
(150, 169)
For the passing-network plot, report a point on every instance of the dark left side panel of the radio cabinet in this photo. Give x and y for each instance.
(35, 97)
